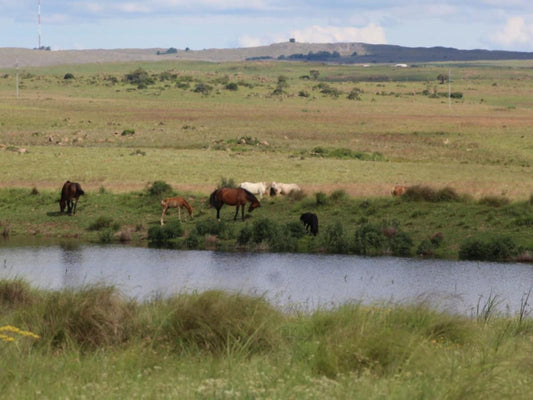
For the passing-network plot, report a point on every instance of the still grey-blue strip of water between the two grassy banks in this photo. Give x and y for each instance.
(302, 281)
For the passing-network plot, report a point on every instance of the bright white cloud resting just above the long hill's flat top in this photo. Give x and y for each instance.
(332, 34)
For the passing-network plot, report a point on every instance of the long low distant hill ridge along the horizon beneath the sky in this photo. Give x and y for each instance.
(329, 52)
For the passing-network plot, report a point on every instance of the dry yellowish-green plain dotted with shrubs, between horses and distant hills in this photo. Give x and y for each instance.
(189, 124)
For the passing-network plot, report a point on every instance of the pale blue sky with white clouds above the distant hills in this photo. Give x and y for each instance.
(202, 24)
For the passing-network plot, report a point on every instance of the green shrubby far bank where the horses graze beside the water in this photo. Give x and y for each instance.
(424, 222)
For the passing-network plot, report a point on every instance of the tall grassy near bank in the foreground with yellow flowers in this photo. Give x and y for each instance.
(93, 342)
